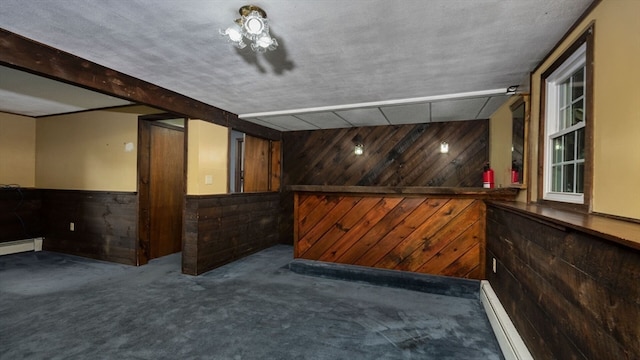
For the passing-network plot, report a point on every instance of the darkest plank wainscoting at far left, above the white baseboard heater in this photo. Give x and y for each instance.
(20, 210)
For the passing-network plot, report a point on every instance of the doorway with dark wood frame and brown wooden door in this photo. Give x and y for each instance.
(161, 186)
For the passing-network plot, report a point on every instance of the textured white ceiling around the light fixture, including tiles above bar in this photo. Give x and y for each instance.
(339, 63)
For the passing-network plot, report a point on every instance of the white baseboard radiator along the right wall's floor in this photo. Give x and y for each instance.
(511, 344)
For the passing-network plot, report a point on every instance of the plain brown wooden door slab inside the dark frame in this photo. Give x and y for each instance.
(166, 190)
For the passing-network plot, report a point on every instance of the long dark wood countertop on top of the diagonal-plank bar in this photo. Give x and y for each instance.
(461, 192)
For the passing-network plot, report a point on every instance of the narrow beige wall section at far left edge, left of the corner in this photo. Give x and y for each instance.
(17, 150)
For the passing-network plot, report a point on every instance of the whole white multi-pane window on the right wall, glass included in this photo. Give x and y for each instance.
(565, 130)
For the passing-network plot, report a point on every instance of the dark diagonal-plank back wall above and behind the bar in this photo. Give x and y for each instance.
(400, 155)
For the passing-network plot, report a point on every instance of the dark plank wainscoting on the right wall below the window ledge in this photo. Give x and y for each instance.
(570, 295)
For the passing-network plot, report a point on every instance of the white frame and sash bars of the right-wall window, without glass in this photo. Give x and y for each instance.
(552, 121)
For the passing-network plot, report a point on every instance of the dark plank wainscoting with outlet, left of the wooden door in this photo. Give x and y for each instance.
(105, 224)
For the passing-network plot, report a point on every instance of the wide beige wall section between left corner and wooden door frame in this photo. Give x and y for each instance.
(87, 151)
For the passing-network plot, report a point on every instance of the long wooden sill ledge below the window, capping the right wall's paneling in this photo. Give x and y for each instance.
(623, 232)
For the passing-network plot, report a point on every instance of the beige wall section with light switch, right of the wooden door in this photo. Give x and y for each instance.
(207, 158)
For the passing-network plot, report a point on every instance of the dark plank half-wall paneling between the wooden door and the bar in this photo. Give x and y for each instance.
(222, 228)
